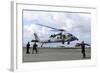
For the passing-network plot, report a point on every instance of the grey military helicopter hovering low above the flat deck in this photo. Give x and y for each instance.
(60, 37)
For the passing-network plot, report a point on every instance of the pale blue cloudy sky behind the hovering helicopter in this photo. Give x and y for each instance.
(78, 24)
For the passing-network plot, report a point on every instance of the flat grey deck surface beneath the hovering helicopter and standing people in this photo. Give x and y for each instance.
(54, 54)
